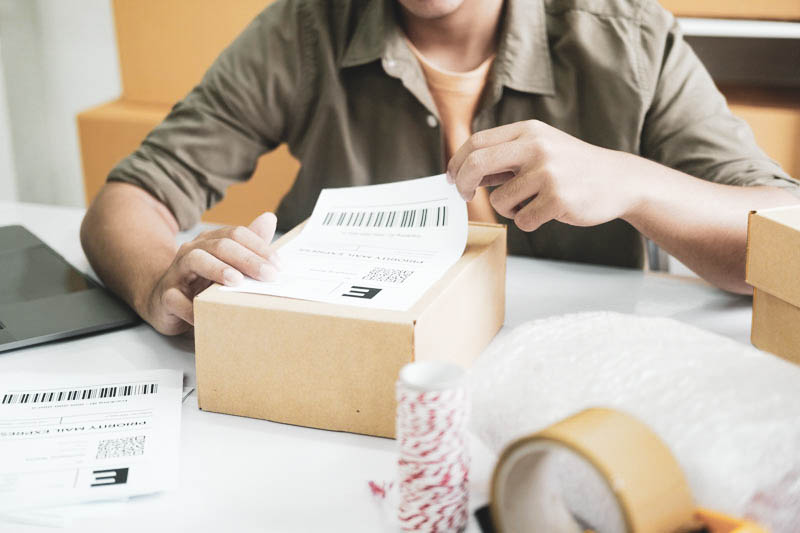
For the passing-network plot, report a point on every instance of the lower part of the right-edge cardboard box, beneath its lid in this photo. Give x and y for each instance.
(776, 326)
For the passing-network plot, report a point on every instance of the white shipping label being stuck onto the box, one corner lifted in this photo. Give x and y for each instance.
(377, 246)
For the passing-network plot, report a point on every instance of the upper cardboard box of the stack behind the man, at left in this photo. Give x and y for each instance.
(165, 47)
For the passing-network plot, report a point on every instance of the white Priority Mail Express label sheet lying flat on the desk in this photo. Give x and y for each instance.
(77, 438)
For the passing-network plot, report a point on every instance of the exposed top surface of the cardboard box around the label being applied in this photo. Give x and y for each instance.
(480, 237)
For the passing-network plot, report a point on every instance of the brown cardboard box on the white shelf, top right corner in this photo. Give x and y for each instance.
(747, 9)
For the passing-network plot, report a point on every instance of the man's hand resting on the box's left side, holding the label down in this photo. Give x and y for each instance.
(222, 256)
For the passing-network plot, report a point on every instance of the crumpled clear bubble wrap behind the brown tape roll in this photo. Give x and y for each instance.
(729, 413)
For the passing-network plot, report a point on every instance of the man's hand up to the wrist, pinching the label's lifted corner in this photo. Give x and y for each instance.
(544, 174)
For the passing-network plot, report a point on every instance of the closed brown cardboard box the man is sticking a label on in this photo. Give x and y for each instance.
(334, 367)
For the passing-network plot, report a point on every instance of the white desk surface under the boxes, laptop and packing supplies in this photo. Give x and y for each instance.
(240, 474)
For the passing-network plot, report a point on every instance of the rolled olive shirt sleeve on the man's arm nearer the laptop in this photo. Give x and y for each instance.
(214, 137)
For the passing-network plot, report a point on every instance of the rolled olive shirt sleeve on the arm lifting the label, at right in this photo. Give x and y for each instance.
(688, 125)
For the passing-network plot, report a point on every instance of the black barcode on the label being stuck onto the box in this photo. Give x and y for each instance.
(406, 218)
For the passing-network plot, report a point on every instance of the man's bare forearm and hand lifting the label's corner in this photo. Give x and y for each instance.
(545, 174)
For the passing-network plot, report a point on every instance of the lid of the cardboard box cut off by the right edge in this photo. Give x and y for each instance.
(773, 252)
